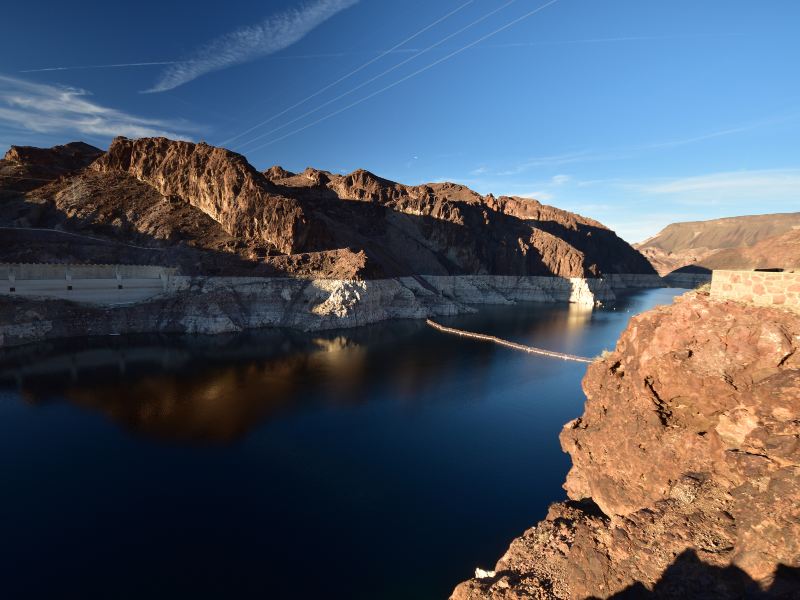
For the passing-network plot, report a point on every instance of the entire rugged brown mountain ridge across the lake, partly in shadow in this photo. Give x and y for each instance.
(203, 207)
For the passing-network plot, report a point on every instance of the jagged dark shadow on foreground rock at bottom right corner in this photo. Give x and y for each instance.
(690, 577)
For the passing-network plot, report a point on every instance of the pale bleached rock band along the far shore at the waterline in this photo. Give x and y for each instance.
(213, 305)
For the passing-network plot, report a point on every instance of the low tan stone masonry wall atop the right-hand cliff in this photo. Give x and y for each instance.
(759, 288)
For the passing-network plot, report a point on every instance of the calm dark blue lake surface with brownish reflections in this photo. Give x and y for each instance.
(384, 462)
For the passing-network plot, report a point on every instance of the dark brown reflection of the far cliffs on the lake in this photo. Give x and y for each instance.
(215, 389)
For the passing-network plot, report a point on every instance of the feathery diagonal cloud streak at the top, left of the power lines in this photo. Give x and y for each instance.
(273, 34)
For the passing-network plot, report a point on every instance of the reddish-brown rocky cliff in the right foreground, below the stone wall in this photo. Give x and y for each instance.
(686, 467)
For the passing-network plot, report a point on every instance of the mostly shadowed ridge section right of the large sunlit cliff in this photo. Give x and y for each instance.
(506, 235)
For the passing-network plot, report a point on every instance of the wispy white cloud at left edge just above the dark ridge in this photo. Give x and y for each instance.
(42, 108)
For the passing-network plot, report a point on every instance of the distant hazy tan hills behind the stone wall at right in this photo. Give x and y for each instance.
(747, 242)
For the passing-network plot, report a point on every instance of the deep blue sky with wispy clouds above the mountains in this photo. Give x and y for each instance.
(635, 112)
